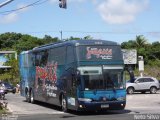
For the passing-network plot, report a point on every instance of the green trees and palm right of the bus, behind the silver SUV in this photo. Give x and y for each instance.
(150, 53)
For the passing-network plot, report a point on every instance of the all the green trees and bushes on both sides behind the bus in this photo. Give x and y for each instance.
(21, 42)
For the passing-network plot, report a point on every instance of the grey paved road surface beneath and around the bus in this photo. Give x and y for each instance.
(136, 104)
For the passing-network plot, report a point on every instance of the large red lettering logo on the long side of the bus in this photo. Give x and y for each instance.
(48, 72)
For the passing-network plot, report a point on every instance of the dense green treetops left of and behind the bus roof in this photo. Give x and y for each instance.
(20, 42)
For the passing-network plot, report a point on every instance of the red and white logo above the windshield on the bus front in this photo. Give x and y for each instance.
(101, 53)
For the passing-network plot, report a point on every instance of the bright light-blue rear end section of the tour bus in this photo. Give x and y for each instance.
(27, 73)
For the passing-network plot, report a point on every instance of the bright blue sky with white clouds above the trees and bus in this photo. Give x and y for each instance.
(114, 20)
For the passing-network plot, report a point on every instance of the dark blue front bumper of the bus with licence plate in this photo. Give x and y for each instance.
(94, 106)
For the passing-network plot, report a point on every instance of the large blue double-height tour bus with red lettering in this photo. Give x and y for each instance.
(78, 75)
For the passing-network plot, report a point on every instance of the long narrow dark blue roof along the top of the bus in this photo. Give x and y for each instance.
(76, 43)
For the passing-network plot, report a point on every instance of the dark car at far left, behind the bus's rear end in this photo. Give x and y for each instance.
(9, 88)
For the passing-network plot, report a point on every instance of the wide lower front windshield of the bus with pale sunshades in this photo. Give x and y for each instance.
(98, 78)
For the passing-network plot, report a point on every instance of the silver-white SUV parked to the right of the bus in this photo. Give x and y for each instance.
(143, 84)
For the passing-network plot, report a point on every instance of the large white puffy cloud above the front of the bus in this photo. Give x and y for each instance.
(121, 11)
